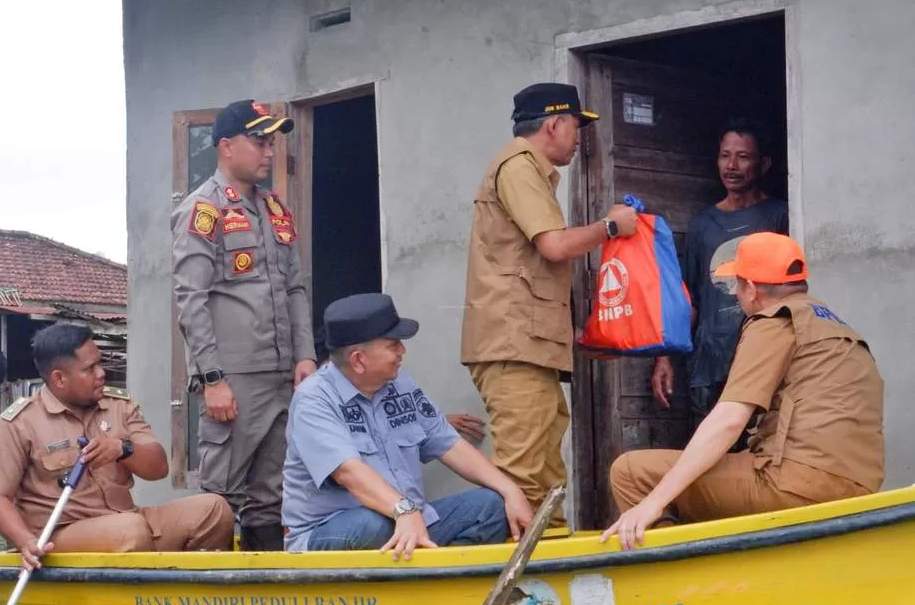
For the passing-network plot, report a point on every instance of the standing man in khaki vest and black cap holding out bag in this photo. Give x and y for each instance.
(517, 331)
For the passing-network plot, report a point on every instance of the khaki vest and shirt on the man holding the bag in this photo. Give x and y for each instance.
(517, 302)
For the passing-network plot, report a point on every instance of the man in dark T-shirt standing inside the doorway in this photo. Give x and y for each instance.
(744, 157)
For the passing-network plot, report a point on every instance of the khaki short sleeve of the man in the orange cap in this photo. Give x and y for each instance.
(761, 361)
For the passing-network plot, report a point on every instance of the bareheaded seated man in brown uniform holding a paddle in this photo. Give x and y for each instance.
(38, 445)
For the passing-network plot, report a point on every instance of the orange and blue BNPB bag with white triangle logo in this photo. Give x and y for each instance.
(641, 306)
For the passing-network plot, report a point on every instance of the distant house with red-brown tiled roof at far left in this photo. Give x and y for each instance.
(44, 282)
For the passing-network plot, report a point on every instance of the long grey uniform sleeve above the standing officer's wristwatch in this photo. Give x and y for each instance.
(194, 269)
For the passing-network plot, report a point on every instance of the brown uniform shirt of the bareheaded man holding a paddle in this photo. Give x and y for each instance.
(38, 447)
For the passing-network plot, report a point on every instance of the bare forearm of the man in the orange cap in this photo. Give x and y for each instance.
(715, 435)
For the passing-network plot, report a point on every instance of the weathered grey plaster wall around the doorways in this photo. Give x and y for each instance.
(447, 71)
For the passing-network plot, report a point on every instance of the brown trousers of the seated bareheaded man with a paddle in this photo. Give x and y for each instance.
(201, 522)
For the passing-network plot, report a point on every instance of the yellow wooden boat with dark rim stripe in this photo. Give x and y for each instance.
(857, 551)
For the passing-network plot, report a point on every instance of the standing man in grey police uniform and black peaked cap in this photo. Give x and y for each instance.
(245, 316)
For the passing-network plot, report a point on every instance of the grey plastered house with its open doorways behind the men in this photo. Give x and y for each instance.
(440, 76)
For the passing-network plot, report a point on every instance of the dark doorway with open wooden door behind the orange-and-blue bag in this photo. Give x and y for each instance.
(663, 101)
